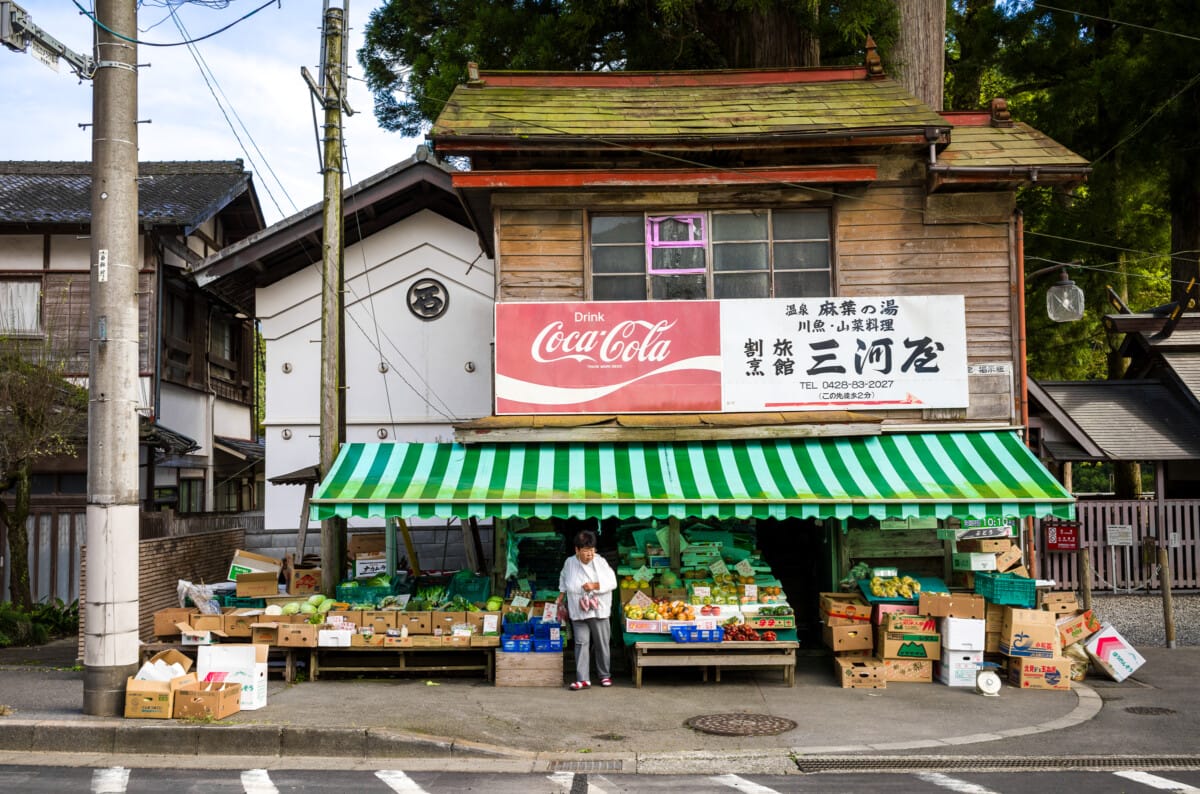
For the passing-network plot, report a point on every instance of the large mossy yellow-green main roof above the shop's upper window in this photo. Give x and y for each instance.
(645, 106)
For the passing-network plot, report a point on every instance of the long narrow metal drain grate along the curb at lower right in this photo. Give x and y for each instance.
(812, 765)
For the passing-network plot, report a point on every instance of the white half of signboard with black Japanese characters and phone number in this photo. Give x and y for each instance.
(801, 354)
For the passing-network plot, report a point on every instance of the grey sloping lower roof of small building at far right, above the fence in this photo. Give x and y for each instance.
(1131, 420)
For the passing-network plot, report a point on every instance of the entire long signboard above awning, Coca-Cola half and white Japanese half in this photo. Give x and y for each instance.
(739, 356)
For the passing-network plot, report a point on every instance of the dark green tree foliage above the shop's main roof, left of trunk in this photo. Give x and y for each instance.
(417, 52)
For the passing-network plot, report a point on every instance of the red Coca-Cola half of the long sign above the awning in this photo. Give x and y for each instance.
(608, 358)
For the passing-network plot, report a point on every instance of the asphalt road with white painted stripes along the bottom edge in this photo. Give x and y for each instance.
(117, 780)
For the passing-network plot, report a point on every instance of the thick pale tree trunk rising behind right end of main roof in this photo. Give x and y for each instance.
(920, 61)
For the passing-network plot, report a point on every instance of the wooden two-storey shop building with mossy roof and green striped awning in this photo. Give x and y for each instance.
(782, 296)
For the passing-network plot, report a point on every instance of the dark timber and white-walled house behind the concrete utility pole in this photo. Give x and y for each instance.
(196, 354)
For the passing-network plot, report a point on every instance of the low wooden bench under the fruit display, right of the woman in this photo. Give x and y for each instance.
(665, 653)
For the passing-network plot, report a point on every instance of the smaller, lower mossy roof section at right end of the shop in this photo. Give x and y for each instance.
(1019, 146)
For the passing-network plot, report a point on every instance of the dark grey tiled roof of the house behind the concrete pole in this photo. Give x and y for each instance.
(170, 194)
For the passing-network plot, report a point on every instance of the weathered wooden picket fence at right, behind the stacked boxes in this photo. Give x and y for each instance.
(1130, 568)
